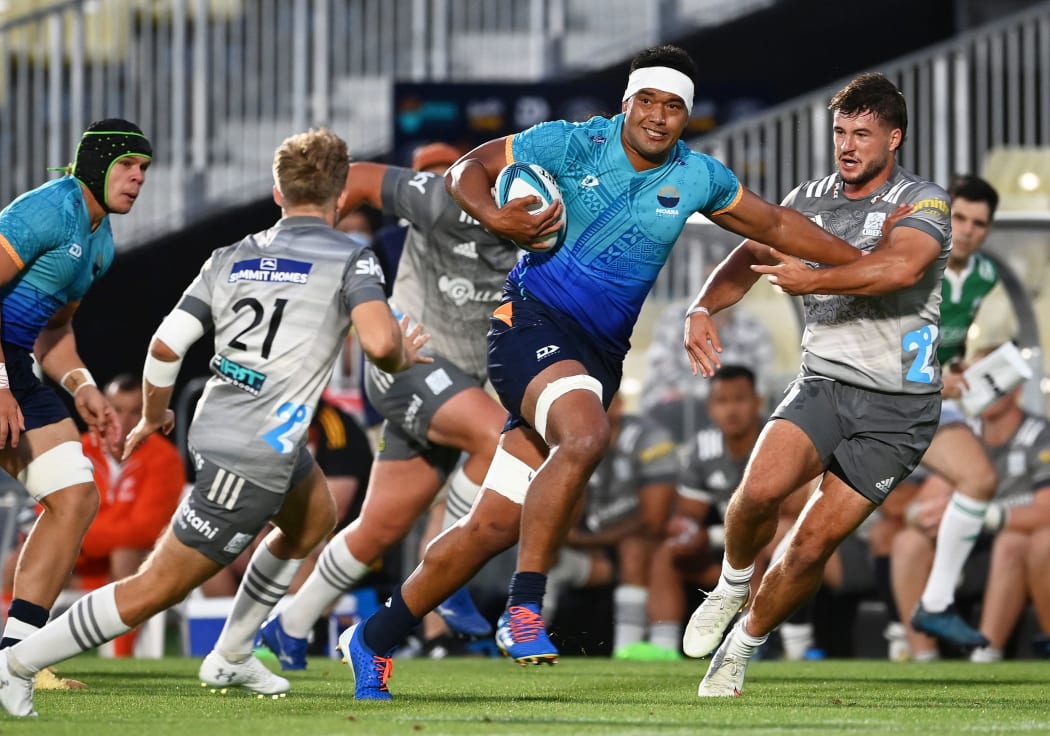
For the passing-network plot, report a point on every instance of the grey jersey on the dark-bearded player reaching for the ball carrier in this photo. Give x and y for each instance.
(886, 343)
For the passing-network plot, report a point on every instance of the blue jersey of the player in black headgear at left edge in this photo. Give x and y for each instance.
(48, 233)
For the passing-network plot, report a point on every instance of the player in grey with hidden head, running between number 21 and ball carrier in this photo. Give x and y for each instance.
(451, 278)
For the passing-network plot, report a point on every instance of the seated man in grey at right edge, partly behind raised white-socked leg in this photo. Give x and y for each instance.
(1009, 566)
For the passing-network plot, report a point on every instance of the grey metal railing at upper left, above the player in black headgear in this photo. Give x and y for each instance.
(218, 85)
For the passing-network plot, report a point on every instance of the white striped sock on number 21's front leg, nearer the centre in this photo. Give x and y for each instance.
(265, 583)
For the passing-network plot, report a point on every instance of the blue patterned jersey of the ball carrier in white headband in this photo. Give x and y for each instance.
(622, 223)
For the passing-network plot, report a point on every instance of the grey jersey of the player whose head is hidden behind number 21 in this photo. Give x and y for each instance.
(452, 272)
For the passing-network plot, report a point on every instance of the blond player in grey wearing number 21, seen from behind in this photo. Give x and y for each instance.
(281, 303)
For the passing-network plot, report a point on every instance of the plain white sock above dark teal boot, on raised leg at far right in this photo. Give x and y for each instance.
(960, 528)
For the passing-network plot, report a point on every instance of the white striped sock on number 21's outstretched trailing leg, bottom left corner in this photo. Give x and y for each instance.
(91, 622)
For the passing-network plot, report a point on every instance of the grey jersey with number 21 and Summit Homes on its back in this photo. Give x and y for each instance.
(280, 303)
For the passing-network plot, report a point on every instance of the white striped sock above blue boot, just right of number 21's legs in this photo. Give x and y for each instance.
(337, 573)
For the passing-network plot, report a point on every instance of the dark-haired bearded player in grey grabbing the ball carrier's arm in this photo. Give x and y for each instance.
(868, 401)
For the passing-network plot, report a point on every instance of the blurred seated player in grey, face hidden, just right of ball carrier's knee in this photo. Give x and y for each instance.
(622, 520)
